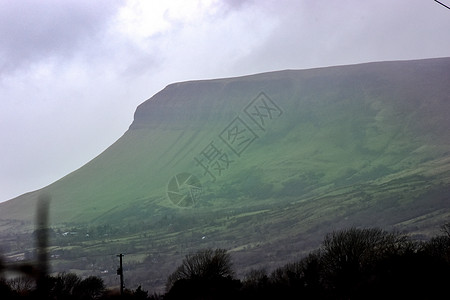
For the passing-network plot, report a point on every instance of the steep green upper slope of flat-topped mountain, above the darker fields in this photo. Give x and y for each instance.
(341, 125)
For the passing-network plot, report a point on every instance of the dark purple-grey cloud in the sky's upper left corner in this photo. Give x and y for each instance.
(35, 30)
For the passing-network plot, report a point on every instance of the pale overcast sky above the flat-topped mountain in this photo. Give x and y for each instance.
(72, 72)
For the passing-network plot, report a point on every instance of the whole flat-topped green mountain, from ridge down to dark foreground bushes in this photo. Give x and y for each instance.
(264, 165)
